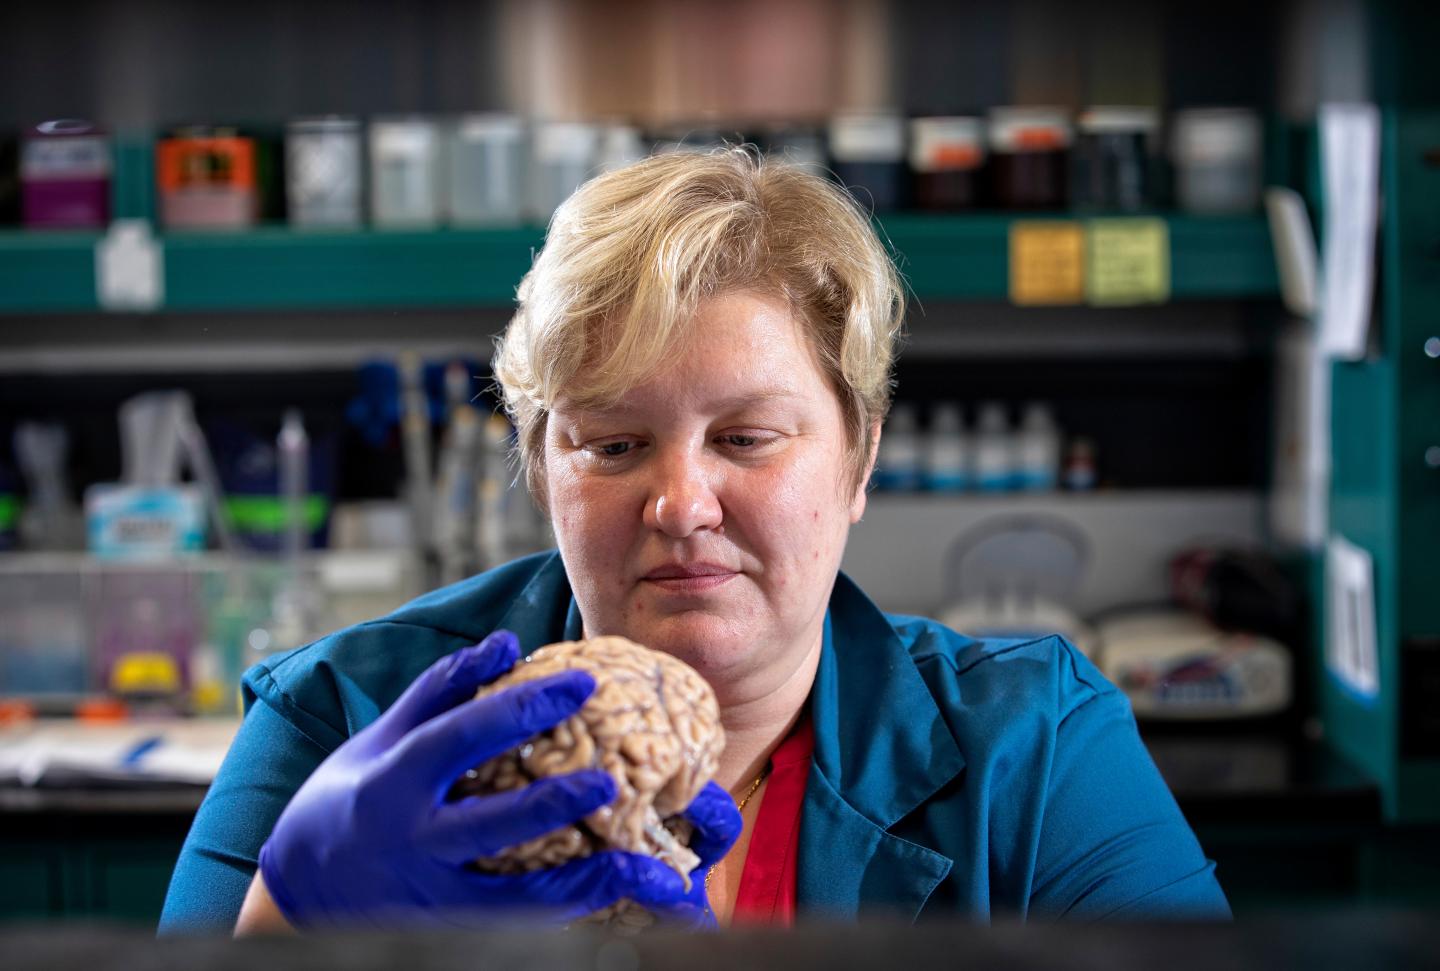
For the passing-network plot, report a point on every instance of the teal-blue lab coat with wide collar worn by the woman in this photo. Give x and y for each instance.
(951, 776)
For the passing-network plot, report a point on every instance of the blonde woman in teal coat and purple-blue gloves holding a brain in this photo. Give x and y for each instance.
(698, 370)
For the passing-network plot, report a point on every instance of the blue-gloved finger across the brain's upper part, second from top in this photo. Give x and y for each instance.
(467, 735)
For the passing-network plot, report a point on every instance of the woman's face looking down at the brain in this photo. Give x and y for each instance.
(706, 515)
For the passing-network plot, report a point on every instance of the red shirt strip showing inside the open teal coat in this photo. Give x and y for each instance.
(767, 892)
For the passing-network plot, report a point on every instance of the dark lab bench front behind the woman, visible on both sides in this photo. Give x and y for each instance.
(1291, 825)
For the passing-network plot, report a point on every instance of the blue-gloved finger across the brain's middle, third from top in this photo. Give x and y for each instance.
(486, 825)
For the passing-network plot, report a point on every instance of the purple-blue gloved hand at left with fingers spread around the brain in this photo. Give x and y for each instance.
(371, 839)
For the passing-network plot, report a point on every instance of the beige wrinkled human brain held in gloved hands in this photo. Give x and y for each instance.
(653, 724)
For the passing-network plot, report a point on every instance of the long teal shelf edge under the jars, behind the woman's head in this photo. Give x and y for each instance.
(942, 257)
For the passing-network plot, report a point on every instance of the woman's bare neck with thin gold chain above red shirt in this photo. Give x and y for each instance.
(755, 727)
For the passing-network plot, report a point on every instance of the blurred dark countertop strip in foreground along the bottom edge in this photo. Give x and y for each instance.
(1315, 943)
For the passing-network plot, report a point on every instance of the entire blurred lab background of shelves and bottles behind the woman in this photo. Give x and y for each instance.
(277, 240)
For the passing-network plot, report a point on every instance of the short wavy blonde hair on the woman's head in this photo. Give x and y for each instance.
(633, 253)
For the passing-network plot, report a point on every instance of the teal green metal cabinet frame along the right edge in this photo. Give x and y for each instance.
(1386, 493)
